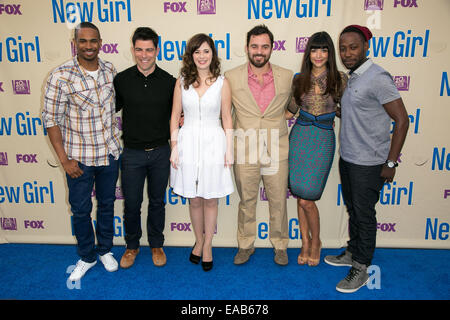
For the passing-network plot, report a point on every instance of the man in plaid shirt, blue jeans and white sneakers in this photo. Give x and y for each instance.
(79, 114)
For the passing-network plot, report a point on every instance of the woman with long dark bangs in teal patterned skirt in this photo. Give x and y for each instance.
(316, 92)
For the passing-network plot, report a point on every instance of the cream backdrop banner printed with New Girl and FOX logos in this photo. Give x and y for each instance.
(410, 40)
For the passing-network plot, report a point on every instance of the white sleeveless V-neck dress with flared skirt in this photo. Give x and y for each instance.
(202, 146)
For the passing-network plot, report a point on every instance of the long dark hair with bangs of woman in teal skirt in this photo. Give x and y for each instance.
(302, 82)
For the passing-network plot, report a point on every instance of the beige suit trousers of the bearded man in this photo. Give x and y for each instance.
(247, 179)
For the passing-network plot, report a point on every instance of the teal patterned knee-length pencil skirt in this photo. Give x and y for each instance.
(312, 144)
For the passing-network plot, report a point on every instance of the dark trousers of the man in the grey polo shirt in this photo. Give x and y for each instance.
(361, 186)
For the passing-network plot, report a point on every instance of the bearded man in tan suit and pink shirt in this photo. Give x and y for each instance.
(260, 94)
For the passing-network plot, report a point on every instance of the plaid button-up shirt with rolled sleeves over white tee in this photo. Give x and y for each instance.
(84, 110)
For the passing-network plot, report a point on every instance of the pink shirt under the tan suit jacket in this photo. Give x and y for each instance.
(264, 93)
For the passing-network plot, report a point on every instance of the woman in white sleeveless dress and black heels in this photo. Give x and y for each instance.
(201, 155)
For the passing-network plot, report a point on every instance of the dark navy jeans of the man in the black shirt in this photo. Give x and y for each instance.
(137, 165)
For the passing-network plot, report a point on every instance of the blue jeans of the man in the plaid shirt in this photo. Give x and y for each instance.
(80, 194)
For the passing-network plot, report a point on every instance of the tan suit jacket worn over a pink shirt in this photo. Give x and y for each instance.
(249, 123)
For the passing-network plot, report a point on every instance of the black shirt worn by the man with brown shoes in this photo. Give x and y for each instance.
(147, 106)
